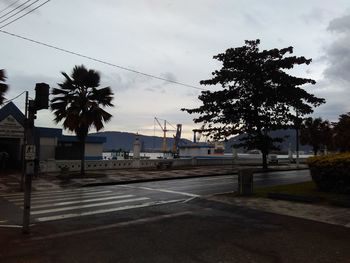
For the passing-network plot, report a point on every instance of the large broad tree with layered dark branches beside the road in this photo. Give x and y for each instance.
(257, 95)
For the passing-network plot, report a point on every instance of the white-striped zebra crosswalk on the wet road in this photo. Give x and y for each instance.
(62, 204)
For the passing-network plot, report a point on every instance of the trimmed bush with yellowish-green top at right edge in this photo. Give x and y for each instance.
(331, 173)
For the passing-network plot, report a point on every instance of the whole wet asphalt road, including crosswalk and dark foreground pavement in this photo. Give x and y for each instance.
(130, 225)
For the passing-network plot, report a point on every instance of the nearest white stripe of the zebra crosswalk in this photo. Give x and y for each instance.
(102, 211)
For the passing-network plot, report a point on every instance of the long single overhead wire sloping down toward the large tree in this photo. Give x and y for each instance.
(100, 61)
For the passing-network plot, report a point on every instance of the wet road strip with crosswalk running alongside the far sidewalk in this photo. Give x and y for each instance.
(82, 202)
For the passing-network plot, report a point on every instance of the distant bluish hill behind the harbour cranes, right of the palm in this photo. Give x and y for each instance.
(124, 140)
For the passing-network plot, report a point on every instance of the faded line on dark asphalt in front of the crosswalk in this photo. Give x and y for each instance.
(116, 225)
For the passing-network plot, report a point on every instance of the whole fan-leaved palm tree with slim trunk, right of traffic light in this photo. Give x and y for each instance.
(77, 102)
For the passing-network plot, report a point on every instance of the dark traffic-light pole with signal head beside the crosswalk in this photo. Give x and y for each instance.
(41, 102)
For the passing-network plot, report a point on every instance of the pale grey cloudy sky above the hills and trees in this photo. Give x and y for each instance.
(170, 39)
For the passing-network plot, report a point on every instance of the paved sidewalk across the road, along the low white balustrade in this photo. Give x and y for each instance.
(11, 182)
